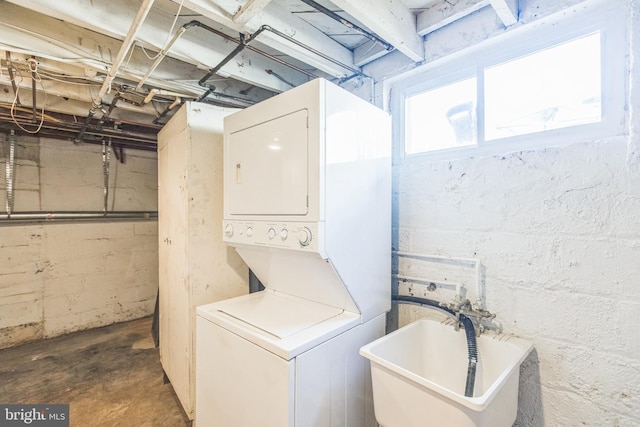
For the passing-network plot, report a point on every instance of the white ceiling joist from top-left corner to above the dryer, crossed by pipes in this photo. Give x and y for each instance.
(197, 46)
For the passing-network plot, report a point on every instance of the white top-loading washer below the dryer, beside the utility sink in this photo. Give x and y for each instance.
(272, 359)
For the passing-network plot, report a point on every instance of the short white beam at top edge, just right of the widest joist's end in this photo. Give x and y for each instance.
(445, 12)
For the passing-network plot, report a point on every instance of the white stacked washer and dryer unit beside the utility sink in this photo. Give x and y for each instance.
(307, 205)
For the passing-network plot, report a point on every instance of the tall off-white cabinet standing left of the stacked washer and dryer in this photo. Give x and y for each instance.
(196, 267)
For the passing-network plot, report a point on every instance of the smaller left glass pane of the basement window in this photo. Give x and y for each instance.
(441, 118)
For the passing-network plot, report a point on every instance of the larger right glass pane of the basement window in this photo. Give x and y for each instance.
(550, 89)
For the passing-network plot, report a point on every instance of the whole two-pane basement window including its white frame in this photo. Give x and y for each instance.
(556, 86)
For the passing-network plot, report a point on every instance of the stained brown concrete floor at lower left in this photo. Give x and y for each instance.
(109, 376)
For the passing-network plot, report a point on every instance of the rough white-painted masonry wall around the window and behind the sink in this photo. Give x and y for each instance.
(558, 232)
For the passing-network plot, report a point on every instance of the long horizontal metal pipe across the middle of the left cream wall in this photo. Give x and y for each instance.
(77, 216)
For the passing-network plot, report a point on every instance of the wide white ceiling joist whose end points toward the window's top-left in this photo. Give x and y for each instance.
(390, 20)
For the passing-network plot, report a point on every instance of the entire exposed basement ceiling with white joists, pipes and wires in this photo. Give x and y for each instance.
(229, 52)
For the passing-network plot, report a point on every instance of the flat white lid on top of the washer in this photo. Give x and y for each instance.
(278, 314)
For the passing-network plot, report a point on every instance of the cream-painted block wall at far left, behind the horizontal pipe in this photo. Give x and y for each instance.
(56, 277)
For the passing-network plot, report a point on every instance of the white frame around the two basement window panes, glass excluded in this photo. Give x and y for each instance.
(609, 19)
